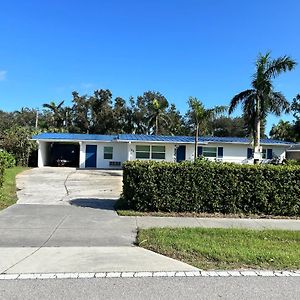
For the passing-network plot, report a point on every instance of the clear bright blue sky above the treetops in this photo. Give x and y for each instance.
(201, 48)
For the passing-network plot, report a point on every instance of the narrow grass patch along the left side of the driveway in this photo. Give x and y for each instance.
(8, 194)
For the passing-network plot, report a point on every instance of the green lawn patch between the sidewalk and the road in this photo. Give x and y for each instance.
(219, 248)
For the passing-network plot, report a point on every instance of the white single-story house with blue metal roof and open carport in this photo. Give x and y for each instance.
(110, 151)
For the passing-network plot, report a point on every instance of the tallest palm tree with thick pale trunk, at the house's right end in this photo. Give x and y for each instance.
(262, 99)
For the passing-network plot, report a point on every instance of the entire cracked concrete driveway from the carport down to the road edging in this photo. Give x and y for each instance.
(64, 221)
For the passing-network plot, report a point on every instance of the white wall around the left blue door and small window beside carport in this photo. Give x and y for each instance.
(119, 154)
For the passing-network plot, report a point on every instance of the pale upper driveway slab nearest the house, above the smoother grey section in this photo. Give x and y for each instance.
(52, 185)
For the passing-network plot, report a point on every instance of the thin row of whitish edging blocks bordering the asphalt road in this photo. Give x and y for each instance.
(232, 273)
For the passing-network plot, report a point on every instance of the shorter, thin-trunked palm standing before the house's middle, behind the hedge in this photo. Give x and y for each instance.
(200, 116)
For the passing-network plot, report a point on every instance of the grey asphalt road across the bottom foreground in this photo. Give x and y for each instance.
(153, 288)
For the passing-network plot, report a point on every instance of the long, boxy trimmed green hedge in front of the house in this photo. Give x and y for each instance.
(212, 187)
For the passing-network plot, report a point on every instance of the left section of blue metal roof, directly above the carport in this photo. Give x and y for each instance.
(74, 137)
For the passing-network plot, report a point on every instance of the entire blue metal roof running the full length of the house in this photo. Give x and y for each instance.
(150, 138)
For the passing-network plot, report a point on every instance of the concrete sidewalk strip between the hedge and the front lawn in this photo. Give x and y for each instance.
(149, 222)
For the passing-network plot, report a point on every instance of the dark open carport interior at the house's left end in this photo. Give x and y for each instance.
(61, 154)
